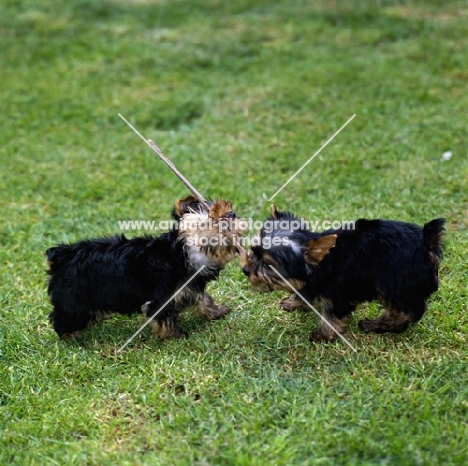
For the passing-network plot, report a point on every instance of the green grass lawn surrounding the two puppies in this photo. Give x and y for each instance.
(239, 95)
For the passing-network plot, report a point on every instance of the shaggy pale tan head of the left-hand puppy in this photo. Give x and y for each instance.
(210, 236)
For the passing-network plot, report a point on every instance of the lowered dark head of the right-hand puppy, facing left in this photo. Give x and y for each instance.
(283, 253)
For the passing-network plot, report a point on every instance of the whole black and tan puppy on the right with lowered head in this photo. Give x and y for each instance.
(393, 262)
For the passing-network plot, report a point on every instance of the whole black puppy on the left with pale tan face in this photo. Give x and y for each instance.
(93, 278)
